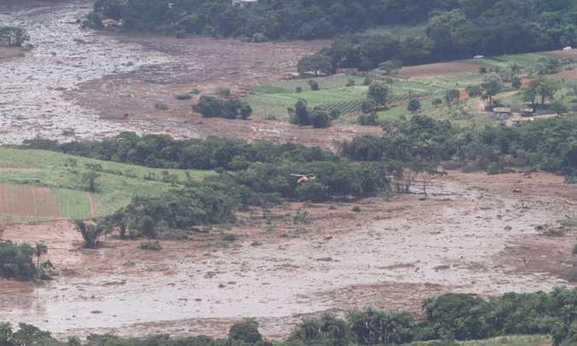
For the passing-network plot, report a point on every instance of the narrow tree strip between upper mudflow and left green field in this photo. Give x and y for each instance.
(163, 151)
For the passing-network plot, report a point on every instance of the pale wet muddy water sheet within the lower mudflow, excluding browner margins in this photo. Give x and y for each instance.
(451, 242)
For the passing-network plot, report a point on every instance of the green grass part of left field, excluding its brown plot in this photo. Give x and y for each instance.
(117, 183)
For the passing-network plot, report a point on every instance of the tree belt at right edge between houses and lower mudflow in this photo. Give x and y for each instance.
(548, 144)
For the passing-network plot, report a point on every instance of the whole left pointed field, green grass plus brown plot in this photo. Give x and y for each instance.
(38, 185)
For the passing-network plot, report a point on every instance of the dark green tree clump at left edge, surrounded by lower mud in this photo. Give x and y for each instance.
(16, 261)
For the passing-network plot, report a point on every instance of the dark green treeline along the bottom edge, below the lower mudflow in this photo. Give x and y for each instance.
(446, 319)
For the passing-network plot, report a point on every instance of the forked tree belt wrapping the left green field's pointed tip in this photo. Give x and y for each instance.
(258, 175)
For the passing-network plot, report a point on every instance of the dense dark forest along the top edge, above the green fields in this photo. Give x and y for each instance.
(453, 29)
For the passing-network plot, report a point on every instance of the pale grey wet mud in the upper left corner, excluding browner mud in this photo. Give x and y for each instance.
(32, 87)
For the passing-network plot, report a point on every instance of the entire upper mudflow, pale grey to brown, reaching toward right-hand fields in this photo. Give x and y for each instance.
(78, 83)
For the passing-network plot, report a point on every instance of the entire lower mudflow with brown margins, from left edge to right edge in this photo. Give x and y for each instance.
(476, 234)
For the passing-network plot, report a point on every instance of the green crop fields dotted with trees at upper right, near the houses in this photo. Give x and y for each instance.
(272, 99)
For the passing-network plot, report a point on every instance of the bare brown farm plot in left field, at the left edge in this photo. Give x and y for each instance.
(26, 200)
